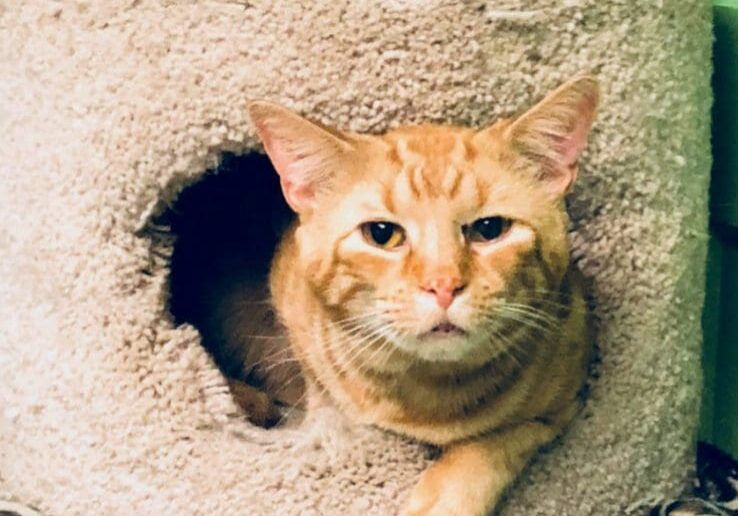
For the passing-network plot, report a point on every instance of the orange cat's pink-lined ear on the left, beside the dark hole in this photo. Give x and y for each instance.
(304, 153)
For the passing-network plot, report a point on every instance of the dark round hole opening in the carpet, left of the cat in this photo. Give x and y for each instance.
(226, 228)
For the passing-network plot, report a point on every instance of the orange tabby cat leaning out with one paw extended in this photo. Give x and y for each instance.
(427, 289)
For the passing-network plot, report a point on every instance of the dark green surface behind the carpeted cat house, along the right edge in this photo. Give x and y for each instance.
(720, 318)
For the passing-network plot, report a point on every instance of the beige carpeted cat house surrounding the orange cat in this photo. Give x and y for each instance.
(112, 111)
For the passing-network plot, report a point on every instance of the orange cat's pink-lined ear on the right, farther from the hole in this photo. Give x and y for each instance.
(554, 131)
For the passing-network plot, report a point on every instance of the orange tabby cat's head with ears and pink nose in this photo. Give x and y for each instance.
(434, 237)
